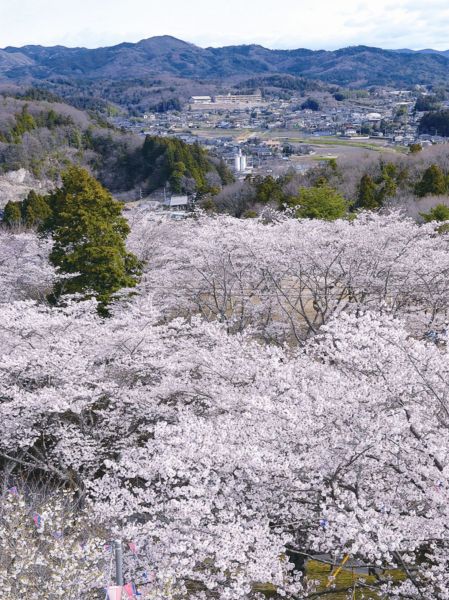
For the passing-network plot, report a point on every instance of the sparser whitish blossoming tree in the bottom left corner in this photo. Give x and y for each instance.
(49, 550)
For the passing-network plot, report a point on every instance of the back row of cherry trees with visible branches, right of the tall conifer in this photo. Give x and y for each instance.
(288, 278)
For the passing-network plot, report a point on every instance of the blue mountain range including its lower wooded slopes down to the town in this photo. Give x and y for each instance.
(163, 69)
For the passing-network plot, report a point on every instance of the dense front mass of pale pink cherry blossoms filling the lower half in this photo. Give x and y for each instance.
(215, 454)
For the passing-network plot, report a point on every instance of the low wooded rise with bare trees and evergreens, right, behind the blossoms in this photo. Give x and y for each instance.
(415, 182)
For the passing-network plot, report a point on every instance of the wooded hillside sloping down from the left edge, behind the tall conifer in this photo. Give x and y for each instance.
(41, 133)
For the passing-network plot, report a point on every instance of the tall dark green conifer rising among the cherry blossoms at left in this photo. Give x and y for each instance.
(89, 234)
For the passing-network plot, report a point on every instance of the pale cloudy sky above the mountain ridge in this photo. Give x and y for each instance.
(313, 24)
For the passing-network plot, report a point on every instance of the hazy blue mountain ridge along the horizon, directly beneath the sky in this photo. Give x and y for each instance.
(168, 56)
